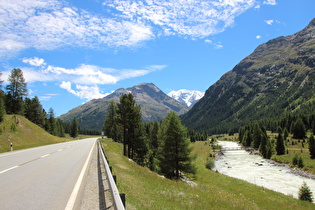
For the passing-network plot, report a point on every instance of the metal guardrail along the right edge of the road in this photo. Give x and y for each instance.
(117, 201)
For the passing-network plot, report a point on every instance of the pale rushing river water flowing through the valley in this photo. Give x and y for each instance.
(254, 169)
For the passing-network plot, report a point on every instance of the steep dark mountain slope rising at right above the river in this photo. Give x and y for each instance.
(278, 77)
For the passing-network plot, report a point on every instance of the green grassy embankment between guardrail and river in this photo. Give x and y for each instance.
(147, 190)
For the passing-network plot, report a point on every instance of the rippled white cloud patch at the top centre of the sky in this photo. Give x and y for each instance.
(186, 17)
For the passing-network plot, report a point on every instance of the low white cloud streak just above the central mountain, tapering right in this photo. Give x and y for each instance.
(83, 81)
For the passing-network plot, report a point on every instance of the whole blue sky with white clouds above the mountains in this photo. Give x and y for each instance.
(73, 51)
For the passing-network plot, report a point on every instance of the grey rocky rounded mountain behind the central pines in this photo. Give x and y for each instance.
(154, 103)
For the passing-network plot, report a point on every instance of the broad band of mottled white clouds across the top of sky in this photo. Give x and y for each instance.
(51, 24)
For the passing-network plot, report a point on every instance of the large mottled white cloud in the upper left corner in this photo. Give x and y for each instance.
(50, 24)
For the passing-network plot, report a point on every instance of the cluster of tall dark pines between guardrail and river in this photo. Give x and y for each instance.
(161, 146)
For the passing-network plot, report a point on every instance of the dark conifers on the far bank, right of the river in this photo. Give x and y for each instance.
(254, 133)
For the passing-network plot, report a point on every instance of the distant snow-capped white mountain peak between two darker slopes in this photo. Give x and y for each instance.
(187, 97)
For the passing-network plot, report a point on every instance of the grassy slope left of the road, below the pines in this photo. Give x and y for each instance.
(25, 135)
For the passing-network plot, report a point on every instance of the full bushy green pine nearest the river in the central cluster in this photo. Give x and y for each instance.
(175, 151)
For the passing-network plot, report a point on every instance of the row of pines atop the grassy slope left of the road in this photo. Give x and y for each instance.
(14, 101)
